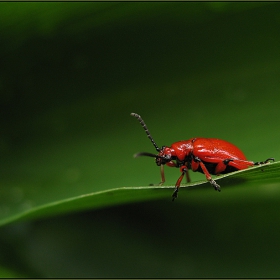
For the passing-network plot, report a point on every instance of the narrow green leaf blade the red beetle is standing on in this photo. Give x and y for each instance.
(256, 181)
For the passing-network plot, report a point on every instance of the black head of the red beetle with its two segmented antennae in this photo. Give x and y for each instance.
(161, 158)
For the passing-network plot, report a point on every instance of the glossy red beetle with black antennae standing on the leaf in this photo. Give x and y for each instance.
(205, 155)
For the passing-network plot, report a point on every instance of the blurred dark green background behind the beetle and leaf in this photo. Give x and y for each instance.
(71, 74)
